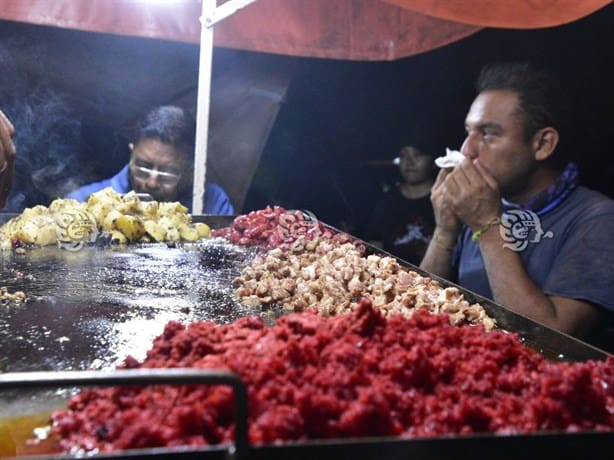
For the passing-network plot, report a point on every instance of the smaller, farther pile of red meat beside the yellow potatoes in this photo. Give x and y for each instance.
(276, 228)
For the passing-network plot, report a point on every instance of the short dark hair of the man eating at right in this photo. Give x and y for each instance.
(542, 99)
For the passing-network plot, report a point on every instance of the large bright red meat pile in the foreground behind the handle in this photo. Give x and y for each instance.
(310, 377)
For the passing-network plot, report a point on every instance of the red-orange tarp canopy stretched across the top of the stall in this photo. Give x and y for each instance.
(340, 29)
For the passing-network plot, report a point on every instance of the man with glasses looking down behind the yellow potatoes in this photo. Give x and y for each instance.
(161, 163)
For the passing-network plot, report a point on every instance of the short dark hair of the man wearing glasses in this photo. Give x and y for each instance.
(169, 124)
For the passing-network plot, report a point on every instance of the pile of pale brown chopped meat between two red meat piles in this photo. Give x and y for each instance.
(332, 277)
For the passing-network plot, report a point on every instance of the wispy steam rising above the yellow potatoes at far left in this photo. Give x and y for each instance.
(47, 133)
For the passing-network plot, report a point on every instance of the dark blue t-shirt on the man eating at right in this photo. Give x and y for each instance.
(567, 252)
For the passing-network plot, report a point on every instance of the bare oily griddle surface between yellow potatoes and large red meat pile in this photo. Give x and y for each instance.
(87, 309)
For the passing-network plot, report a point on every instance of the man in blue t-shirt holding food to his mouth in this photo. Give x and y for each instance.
(512, 222)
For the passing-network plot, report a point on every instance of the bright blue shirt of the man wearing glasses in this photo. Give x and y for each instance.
(216, 200)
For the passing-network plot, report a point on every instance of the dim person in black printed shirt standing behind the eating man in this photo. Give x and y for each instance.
(402, 222)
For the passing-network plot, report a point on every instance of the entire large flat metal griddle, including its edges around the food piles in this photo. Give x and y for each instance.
(90, 308)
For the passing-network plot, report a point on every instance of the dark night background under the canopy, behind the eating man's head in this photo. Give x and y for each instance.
(338, 115)
